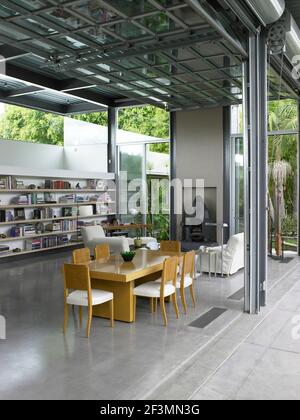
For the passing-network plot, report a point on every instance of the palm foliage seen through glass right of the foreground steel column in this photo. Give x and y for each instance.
(283, 171)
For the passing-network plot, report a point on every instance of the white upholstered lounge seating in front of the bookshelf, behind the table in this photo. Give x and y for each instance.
(94, 235)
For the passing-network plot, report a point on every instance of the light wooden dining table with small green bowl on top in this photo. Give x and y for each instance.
(120, 278)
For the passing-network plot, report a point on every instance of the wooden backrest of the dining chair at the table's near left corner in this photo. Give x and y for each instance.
(77, 277)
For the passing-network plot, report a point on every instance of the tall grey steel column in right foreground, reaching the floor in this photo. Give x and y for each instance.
(256, 137)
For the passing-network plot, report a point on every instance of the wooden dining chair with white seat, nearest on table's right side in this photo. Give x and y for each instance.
(166, 288)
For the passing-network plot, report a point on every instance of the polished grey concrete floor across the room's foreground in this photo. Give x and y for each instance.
(146, 360)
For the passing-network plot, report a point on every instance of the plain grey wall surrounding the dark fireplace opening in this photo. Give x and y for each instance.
(199, 151)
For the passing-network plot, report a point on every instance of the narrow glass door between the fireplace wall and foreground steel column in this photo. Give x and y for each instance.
(237, 187)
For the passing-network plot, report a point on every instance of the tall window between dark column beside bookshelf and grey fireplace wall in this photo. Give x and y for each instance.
(146, 156)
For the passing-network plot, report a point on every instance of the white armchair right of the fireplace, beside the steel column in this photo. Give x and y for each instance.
(233, 257)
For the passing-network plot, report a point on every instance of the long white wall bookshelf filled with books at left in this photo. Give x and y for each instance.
(44, 210)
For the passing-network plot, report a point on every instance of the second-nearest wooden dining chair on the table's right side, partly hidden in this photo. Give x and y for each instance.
(186, 278)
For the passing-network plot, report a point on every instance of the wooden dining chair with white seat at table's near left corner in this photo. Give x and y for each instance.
(77, 278)
